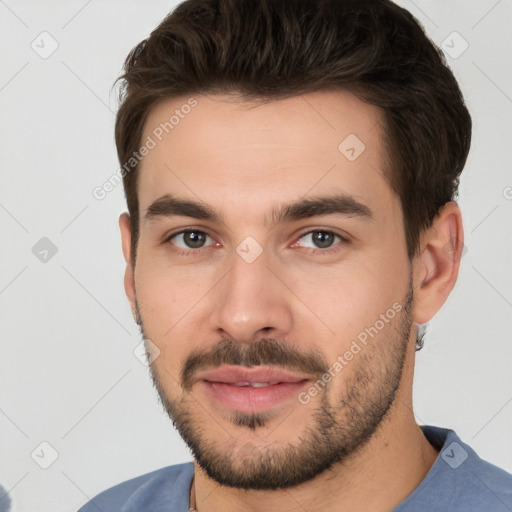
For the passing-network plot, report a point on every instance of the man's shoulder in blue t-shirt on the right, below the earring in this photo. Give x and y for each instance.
(460, 480)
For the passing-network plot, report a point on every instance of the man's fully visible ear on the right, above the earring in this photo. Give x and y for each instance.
(436, 267)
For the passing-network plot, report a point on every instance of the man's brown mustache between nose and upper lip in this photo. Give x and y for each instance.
(265, 352)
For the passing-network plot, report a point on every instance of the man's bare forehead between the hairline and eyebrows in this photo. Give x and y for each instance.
(243, 156)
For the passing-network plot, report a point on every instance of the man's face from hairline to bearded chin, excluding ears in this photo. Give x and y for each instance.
(272, 275)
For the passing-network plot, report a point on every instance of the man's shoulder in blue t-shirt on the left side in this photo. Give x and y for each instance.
(152, 491)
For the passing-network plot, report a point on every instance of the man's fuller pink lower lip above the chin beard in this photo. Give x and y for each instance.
(251, 399)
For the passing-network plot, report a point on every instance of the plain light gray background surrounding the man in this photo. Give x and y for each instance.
(68, 375)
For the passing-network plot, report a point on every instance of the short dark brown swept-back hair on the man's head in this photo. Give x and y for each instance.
(273, 49)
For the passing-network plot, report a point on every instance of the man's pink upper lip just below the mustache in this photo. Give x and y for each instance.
(234, 374)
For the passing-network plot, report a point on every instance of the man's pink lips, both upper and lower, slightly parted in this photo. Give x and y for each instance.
(220, 385)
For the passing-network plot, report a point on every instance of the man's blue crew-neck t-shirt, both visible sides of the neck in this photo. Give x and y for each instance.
(459, 481)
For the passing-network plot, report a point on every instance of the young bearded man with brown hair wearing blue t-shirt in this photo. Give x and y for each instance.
(290, 171)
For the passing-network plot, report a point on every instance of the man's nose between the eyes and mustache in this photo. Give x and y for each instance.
(251, 302)
